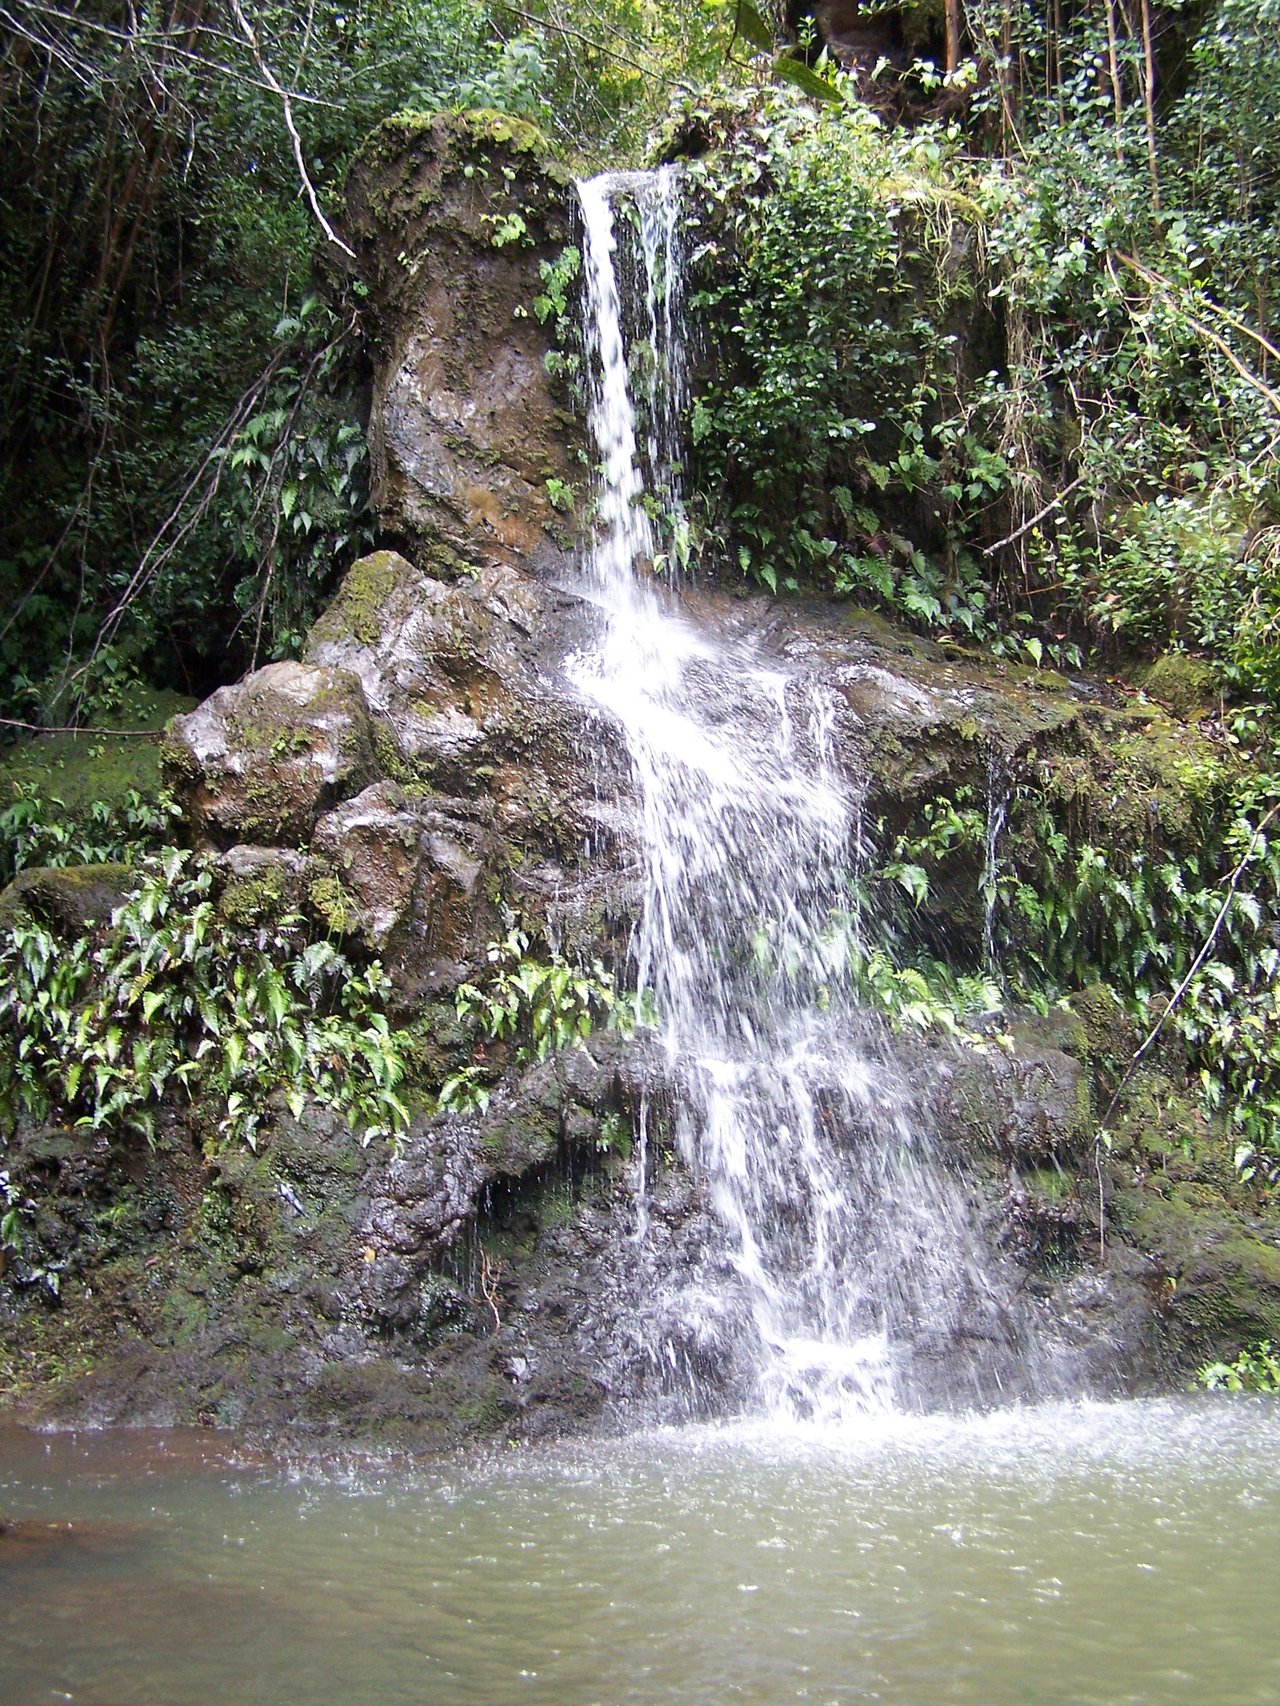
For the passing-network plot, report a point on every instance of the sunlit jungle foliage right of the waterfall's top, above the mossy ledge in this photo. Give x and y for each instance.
(1008, 371)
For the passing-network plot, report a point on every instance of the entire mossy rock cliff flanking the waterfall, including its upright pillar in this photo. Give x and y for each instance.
(422, 782)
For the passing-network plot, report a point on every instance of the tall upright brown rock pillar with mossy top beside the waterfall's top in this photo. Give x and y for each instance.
(453, 219)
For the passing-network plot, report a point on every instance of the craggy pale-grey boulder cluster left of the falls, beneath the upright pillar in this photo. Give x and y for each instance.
(416, 774)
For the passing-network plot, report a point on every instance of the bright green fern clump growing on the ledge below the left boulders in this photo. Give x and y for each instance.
(102, 1030)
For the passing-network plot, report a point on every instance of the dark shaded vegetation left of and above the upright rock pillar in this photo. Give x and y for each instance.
(182, 441)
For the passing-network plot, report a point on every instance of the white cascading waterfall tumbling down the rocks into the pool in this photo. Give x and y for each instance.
(851, 1262)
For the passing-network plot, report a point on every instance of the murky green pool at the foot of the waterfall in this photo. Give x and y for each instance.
(1124, 1555)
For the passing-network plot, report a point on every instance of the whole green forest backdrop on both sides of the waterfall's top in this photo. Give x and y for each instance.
(185, 468)
